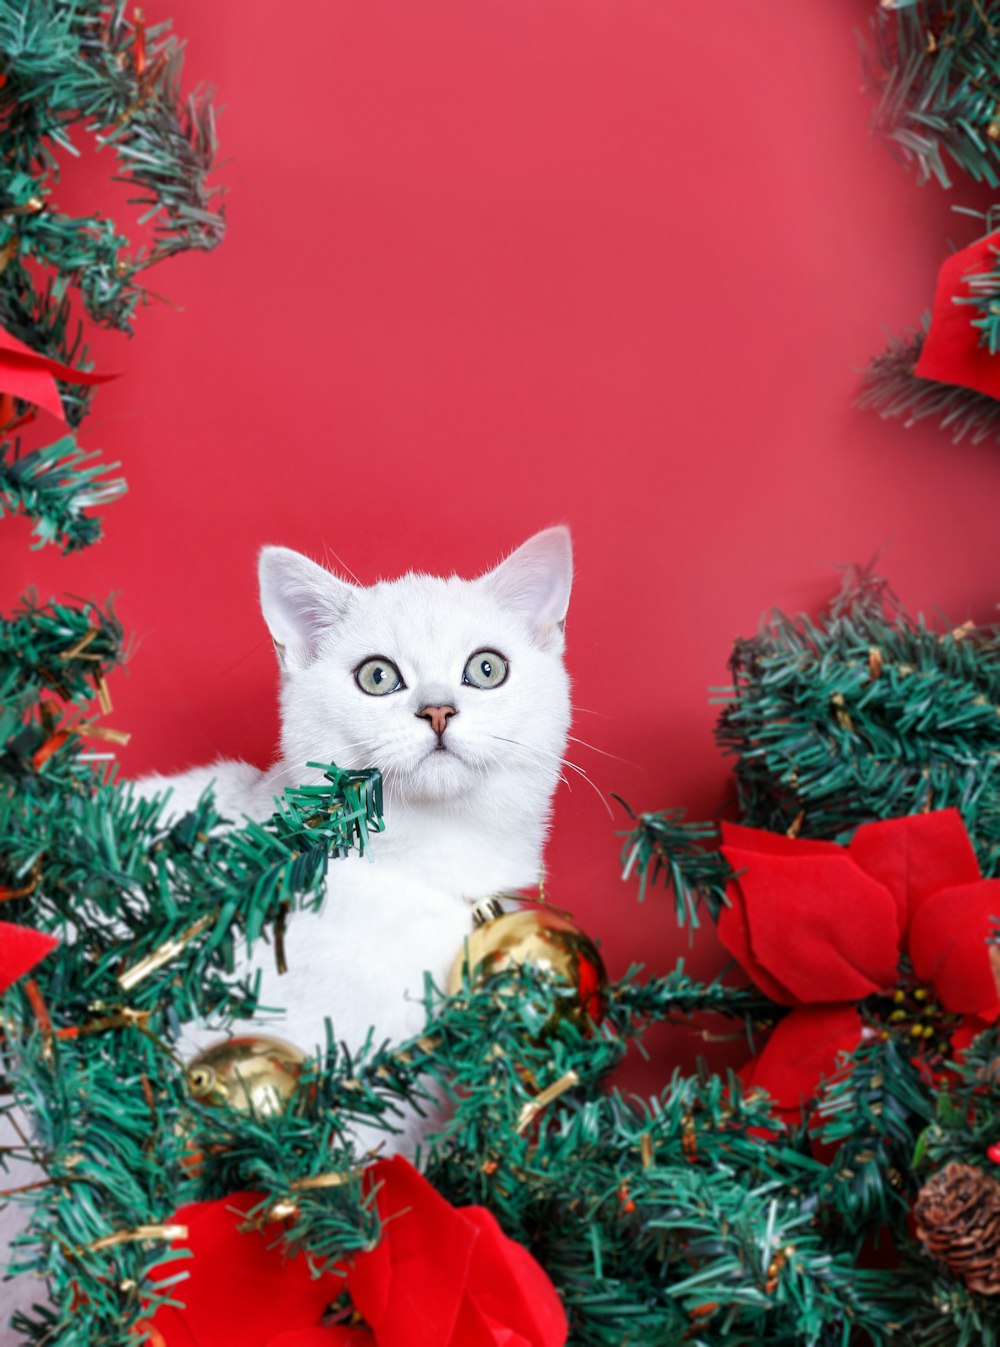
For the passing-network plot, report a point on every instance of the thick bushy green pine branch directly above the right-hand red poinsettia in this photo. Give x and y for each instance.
(865, 716)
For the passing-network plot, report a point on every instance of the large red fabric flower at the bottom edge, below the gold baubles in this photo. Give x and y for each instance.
(440, 1278)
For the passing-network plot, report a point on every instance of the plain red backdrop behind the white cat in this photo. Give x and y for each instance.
(502, 263)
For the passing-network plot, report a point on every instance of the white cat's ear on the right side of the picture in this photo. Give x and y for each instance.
(536, 581)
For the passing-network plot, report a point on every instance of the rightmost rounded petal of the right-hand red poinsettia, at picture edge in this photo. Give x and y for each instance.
(949, 946)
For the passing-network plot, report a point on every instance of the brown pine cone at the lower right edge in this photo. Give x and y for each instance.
(959, 1221)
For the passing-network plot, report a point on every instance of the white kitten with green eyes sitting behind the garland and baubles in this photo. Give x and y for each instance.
(458, 692)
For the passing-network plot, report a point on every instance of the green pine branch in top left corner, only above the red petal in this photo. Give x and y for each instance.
(77, 65)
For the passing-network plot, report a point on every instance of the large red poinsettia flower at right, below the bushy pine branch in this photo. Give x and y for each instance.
(820, 927)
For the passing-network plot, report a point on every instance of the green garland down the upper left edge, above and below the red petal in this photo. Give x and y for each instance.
(80, 69)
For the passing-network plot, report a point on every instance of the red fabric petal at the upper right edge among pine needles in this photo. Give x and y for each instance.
(952, 352)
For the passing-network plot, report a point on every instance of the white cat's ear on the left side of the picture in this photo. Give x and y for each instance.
(300, 601)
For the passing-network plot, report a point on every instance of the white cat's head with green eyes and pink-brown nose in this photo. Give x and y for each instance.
(455, 689)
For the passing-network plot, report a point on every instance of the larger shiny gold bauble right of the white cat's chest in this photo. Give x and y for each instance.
(545, 942)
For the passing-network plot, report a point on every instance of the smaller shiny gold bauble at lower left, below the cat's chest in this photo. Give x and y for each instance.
(253, 1074)
